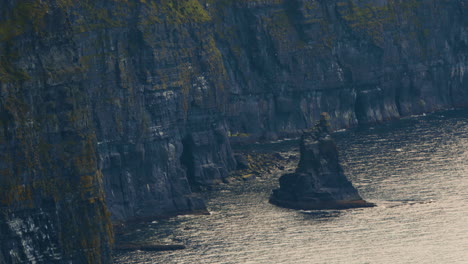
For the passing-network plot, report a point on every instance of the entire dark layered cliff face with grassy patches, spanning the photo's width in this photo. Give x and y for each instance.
(142, 96)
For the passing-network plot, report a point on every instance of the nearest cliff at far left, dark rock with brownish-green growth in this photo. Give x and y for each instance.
(52, 207)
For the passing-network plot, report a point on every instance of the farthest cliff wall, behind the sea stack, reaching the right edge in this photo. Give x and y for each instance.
(361, 61)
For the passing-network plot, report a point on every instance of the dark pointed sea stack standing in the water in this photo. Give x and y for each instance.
(319, 181)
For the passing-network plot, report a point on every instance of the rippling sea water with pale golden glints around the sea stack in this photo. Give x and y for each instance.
(416, 170)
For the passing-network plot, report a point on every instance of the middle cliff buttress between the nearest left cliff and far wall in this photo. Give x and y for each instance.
(156, 80)
